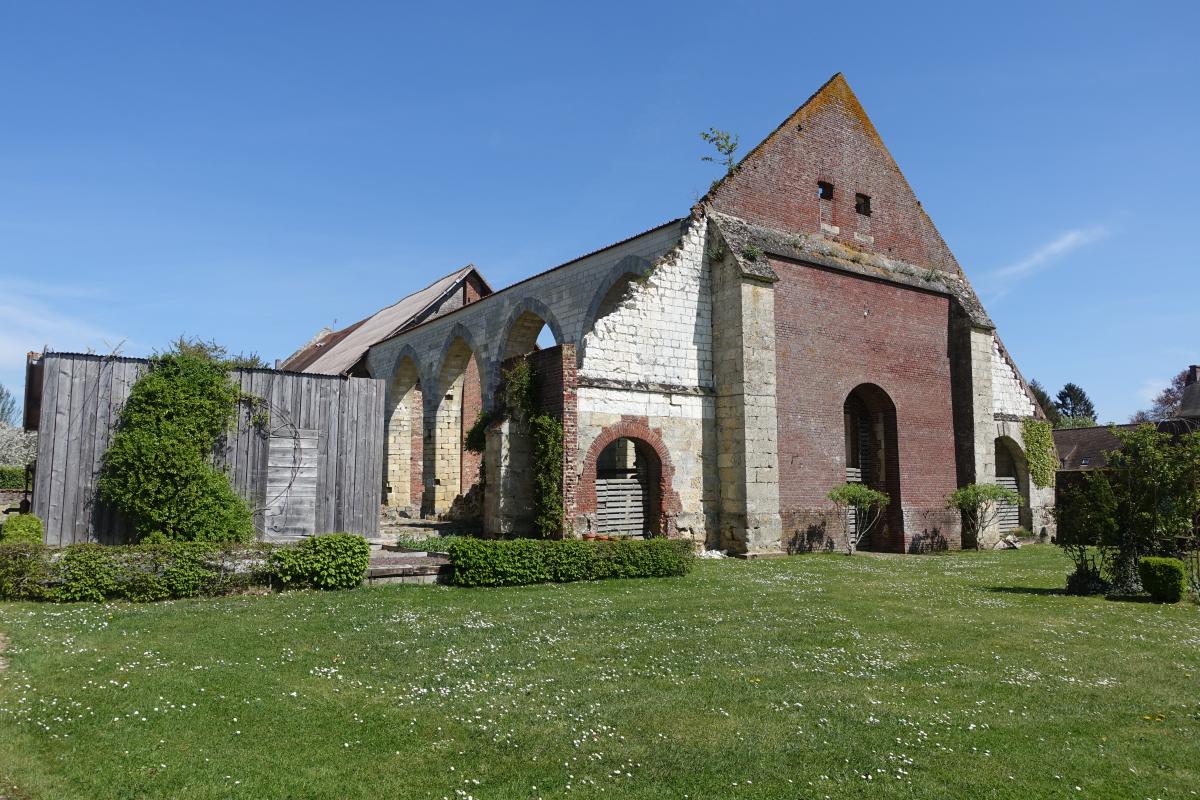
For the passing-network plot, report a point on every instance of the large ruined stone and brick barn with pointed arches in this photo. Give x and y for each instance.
(803, 326)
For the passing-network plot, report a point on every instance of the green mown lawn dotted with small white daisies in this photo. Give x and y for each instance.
(959, 676)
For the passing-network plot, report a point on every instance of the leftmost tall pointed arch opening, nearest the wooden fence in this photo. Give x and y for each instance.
(404, 444)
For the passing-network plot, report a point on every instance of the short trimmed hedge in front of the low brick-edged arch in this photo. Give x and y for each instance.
(520, 562)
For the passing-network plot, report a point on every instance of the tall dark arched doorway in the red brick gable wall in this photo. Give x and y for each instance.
(872, 458)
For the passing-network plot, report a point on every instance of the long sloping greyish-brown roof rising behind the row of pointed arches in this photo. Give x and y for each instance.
(335, 353)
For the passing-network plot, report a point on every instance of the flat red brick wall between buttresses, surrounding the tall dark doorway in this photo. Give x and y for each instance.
(836, 332)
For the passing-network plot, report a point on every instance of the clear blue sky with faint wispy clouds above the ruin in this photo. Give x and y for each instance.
(251, 172)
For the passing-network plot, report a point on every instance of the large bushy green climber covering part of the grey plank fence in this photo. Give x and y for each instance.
(159, 471)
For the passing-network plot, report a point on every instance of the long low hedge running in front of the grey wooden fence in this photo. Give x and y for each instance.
(175, 570)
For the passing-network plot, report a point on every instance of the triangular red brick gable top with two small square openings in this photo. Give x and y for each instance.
(830, 141)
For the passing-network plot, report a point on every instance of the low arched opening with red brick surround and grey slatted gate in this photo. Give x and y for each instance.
(628, 489)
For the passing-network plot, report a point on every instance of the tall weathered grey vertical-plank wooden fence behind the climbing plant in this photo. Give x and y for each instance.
(316, 467)
